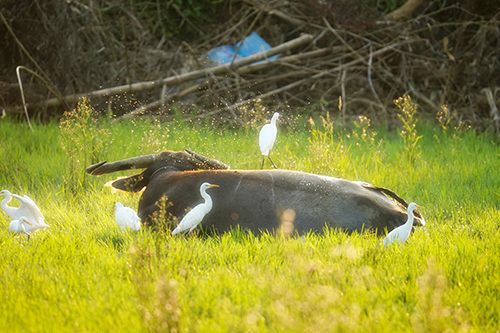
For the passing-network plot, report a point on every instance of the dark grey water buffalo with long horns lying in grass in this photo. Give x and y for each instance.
(257, 200)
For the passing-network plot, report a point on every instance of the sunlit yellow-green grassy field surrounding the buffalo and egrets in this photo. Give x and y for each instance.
(85, 275)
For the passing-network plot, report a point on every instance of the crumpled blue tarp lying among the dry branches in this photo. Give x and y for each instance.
(251, 45)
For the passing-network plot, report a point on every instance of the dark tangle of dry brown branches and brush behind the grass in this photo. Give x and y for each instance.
(445, 53)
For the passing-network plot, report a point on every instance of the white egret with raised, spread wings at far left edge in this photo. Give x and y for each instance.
(27, 209)
